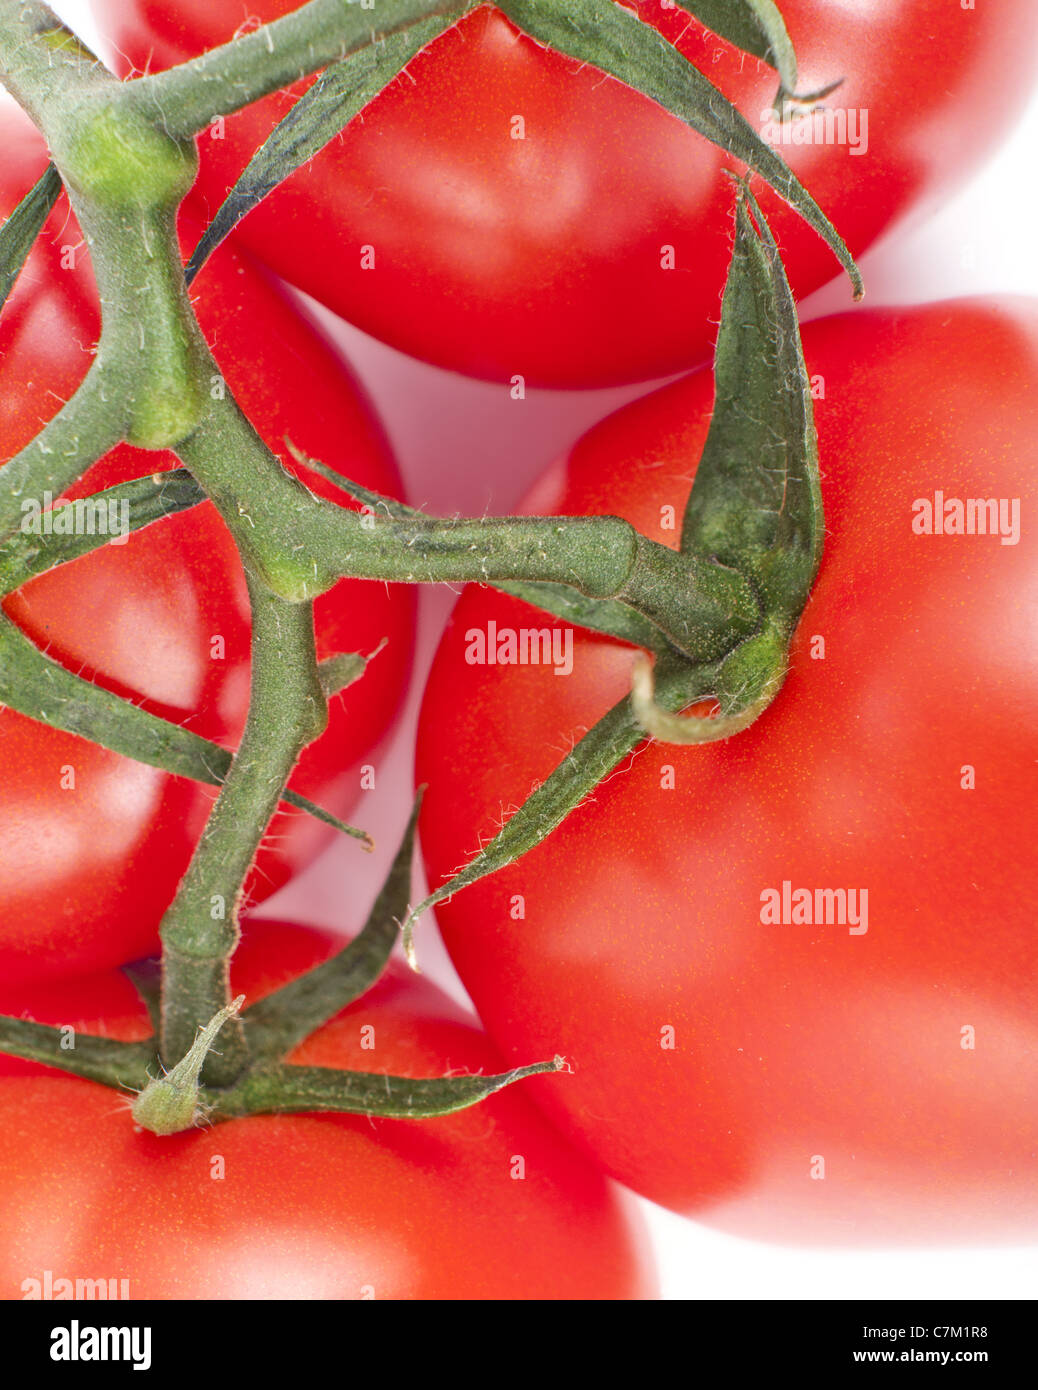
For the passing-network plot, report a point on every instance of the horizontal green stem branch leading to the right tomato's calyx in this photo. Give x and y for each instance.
(302, 546)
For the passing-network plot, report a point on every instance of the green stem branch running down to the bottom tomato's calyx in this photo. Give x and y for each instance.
(199, 932)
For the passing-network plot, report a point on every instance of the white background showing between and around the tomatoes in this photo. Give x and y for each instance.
(458, 451)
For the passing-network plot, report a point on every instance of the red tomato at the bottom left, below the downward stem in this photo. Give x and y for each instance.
(483, 1204)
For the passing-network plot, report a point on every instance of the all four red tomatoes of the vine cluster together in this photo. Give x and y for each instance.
(791, 1079)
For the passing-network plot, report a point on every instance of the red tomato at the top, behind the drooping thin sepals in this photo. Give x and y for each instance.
(547, 256)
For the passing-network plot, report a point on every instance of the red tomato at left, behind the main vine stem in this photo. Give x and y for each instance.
(94, 843)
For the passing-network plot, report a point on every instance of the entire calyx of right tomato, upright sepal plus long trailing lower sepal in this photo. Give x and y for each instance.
(755, 508)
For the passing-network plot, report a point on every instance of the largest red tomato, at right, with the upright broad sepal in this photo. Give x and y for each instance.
(821, 1084)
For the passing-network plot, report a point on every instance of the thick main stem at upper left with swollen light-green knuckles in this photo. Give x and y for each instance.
(126, 181)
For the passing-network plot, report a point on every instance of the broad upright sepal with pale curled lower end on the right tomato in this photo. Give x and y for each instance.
(766, 521)
